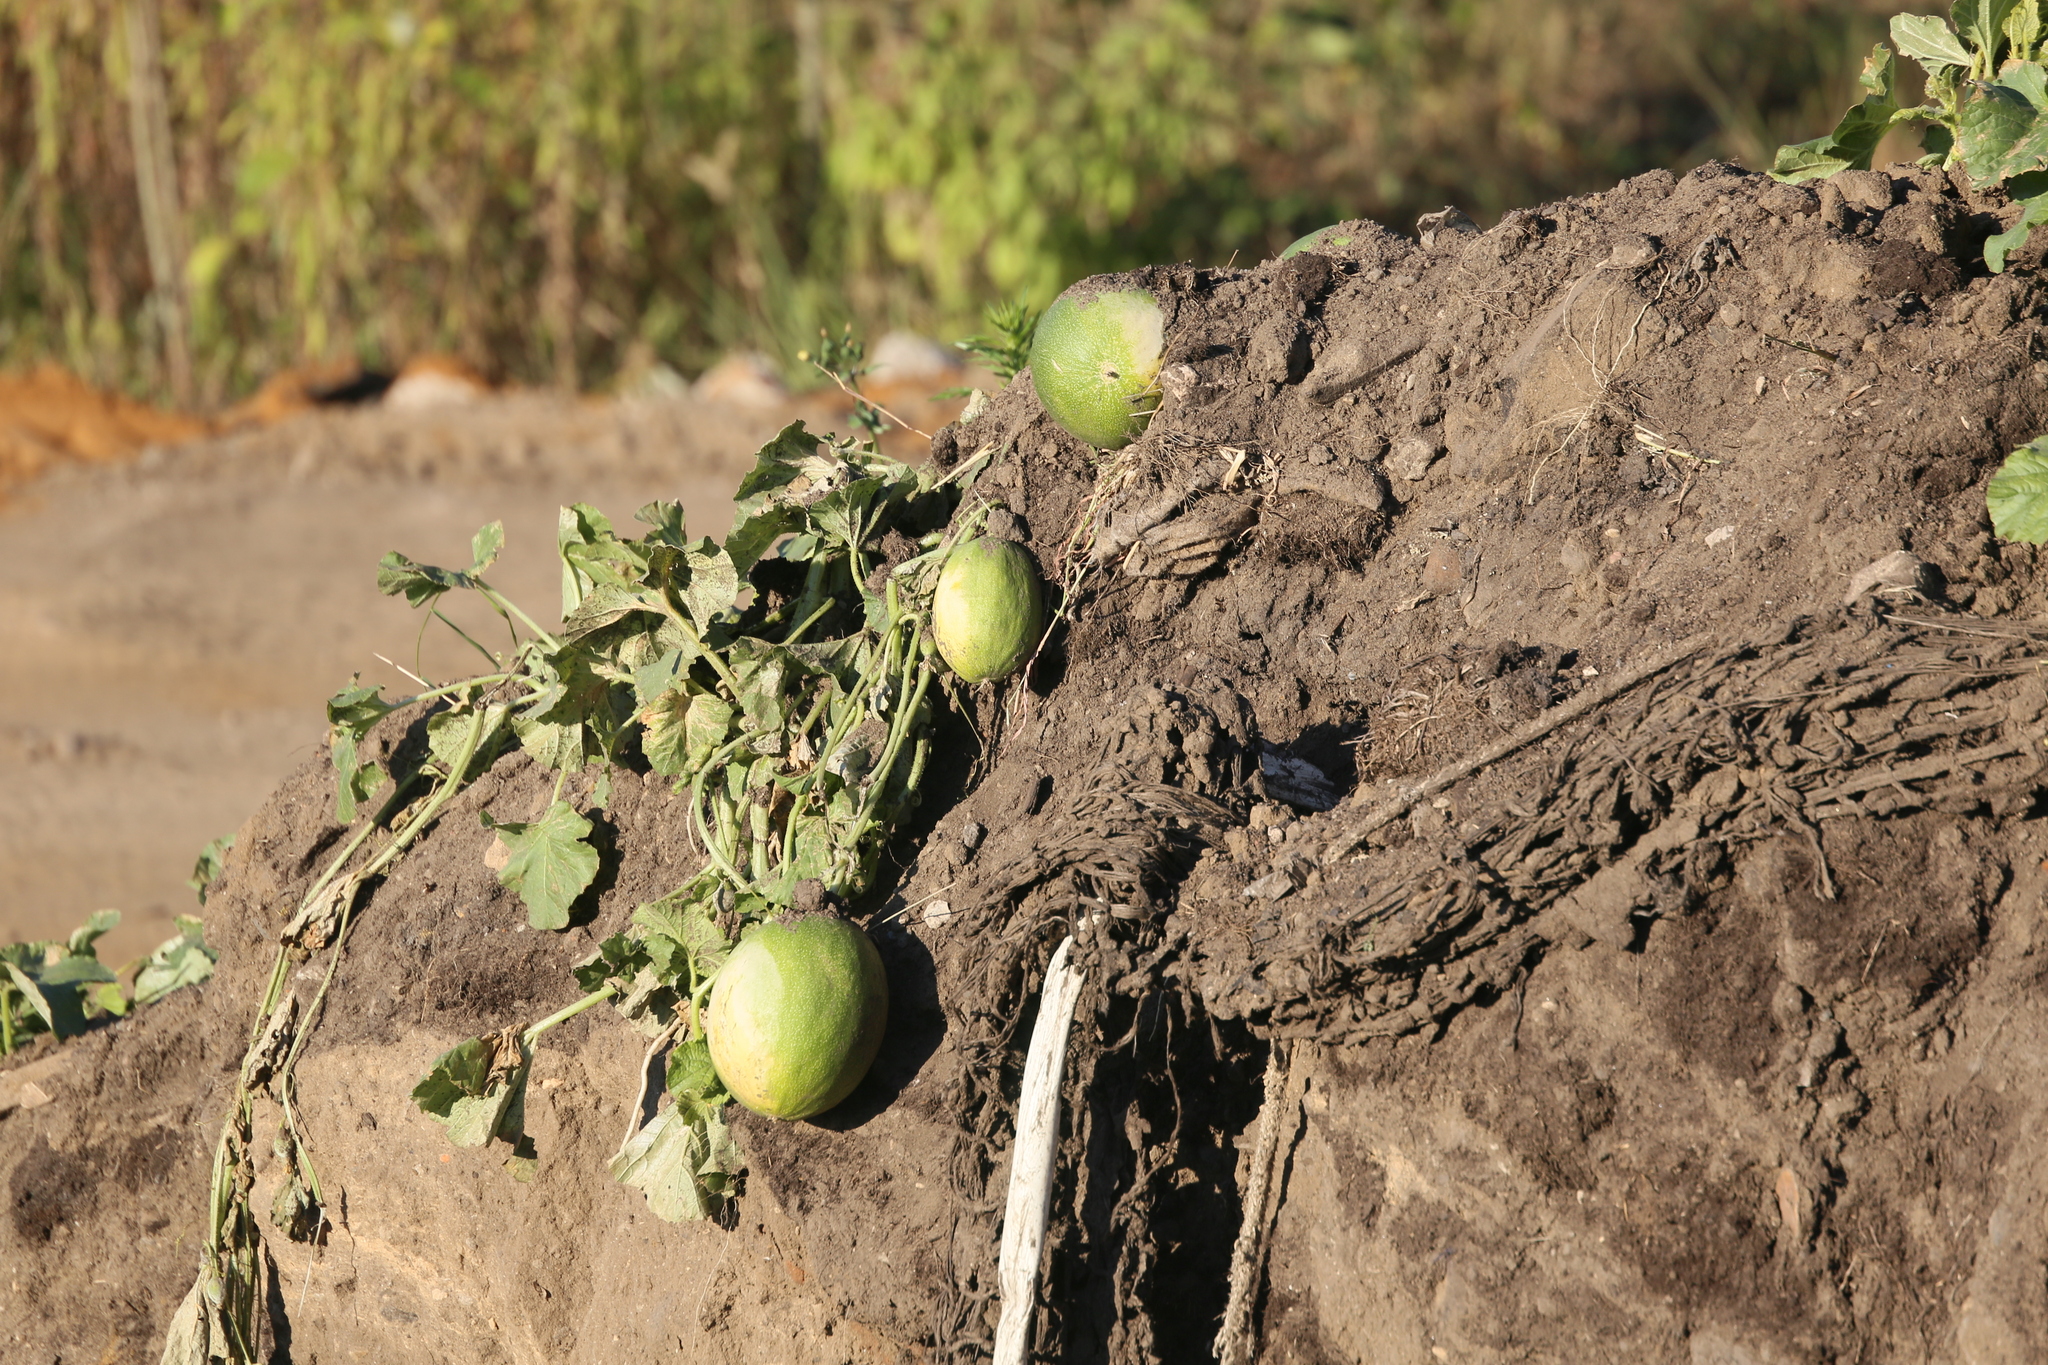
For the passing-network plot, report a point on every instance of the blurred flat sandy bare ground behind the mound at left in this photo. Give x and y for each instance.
(171, 629)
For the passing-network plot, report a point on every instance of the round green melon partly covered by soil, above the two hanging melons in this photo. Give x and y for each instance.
(1095, 361)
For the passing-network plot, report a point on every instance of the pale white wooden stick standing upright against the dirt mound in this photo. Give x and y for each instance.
(1031, 1161)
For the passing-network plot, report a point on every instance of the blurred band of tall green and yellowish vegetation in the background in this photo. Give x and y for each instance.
(568, 191)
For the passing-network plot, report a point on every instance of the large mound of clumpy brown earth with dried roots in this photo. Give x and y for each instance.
(1549, 725)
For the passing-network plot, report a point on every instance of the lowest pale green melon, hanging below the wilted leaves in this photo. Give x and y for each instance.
(798, 1016)
